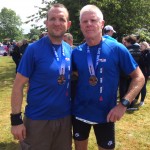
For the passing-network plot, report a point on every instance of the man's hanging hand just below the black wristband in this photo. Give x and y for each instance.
(19, 132)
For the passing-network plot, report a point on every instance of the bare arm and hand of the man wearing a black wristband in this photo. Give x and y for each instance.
(18, 131)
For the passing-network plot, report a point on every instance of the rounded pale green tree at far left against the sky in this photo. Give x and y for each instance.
(10, 25)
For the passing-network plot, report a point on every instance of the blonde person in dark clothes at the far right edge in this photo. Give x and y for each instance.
(144, 64)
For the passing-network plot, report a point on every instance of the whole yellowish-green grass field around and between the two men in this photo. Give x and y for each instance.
(132, 132)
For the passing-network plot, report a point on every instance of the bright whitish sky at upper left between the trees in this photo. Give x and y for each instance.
(23, 8)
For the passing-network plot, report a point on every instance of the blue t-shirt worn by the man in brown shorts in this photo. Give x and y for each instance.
(46, 99)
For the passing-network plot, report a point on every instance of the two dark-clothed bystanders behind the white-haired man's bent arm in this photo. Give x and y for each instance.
(141, 55)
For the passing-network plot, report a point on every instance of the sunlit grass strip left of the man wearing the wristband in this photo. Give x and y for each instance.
(7, 74)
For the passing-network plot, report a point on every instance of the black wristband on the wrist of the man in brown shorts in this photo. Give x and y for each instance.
(16, 119)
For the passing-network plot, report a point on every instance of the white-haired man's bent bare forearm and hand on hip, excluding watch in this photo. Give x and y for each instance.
(135, 86)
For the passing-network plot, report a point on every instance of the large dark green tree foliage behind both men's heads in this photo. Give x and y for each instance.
(126, 16)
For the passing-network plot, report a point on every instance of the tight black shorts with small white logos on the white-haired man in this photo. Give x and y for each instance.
(104, 132)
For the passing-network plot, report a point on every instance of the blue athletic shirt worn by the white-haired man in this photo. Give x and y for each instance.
(93, 103)
